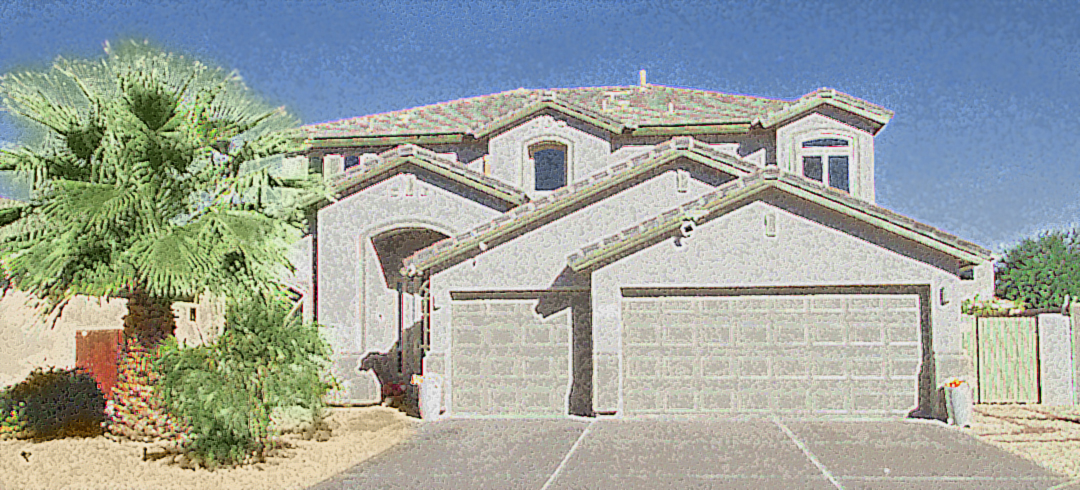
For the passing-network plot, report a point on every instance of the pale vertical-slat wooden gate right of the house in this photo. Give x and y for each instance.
(1006, 351)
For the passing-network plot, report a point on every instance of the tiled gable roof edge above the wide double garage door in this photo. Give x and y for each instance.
(719, 202)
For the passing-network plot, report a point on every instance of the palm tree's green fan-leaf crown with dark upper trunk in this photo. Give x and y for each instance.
(151, 180)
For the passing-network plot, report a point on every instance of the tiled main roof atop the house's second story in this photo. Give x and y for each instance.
(615, 107)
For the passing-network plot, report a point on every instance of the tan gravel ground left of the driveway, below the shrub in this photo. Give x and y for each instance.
(100, 464)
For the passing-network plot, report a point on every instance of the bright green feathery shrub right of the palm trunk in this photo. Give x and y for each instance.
(226, 391)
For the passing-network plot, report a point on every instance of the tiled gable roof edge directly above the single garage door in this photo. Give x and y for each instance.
(572, 198)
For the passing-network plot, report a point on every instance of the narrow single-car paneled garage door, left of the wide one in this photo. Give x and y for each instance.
(509, 361)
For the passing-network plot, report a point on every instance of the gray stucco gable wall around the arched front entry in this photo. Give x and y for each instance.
(349, 278)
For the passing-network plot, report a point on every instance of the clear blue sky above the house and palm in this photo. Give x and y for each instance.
(985, 143)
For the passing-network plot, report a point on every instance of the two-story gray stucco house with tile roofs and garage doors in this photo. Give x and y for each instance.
(633, 251)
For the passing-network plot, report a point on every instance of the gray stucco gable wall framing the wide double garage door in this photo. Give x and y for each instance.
(734, 251)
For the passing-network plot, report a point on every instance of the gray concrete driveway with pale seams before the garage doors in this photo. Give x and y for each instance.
(692, 454)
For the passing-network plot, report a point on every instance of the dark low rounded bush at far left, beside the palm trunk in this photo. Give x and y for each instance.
(57, 404)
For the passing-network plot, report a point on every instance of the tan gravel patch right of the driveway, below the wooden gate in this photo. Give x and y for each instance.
(1048, 435)
